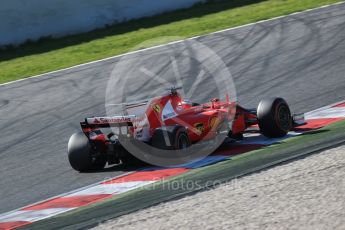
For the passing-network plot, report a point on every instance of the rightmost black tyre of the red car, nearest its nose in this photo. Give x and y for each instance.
(274, 117)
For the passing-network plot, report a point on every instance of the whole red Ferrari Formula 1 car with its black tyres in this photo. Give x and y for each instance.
(170, 122)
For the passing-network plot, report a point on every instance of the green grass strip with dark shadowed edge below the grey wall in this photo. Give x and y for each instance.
(52, 54)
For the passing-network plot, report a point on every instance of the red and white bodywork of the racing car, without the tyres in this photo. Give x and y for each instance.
(201, 121)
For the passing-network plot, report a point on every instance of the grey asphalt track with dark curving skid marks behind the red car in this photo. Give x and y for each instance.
(300, 58)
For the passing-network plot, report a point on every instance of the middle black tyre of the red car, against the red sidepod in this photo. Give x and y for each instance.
(171, 138)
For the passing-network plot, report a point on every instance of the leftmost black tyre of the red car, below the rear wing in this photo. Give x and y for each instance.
(80, 154)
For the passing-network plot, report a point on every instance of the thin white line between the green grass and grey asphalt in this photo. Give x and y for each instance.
(170, 43)
